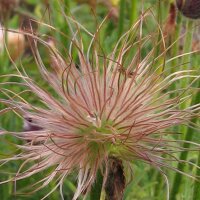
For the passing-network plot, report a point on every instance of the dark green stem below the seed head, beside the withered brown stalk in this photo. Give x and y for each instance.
(97, 187)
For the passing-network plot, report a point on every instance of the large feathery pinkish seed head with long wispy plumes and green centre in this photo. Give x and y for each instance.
(108, 110)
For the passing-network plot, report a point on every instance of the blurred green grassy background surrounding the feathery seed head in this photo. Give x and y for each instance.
(30, 15)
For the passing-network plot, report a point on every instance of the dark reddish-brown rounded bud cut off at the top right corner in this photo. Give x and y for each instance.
(189, 8)
